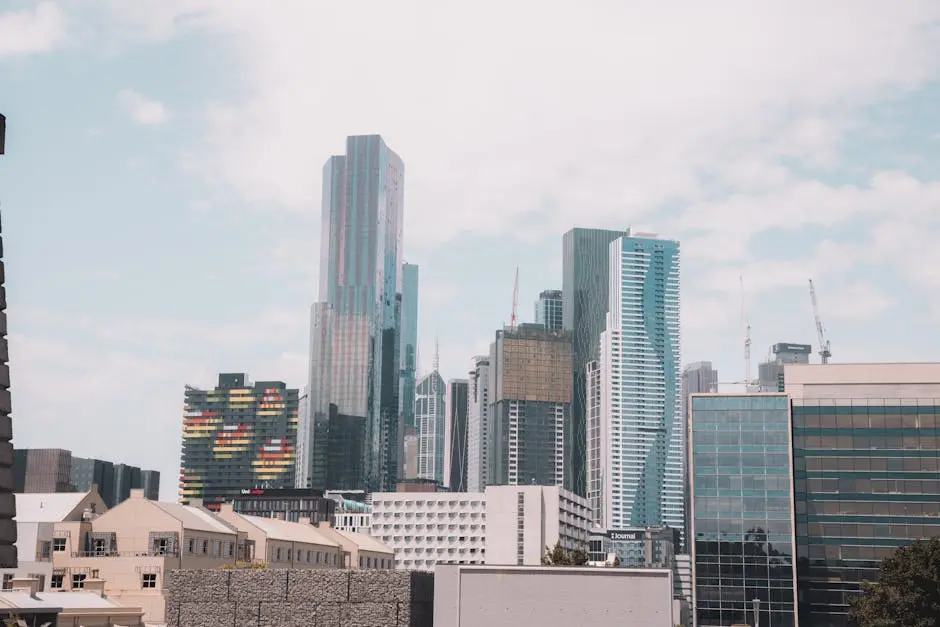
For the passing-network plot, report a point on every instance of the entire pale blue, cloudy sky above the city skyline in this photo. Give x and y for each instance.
(161, 187)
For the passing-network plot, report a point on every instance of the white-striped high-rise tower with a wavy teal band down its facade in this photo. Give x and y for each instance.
(641, 441)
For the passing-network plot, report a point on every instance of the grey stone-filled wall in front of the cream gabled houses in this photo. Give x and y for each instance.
(299, 598)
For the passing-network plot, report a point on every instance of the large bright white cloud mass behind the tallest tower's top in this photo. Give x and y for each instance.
(599, 114)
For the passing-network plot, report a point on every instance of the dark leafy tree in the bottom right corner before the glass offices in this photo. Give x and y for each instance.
(907, 591)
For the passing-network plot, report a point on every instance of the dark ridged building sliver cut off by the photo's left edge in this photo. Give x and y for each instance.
(7, 504)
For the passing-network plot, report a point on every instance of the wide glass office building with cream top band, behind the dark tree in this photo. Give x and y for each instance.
(866, 451)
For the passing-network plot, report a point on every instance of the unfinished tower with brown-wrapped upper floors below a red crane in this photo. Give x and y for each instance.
(530, 383)
